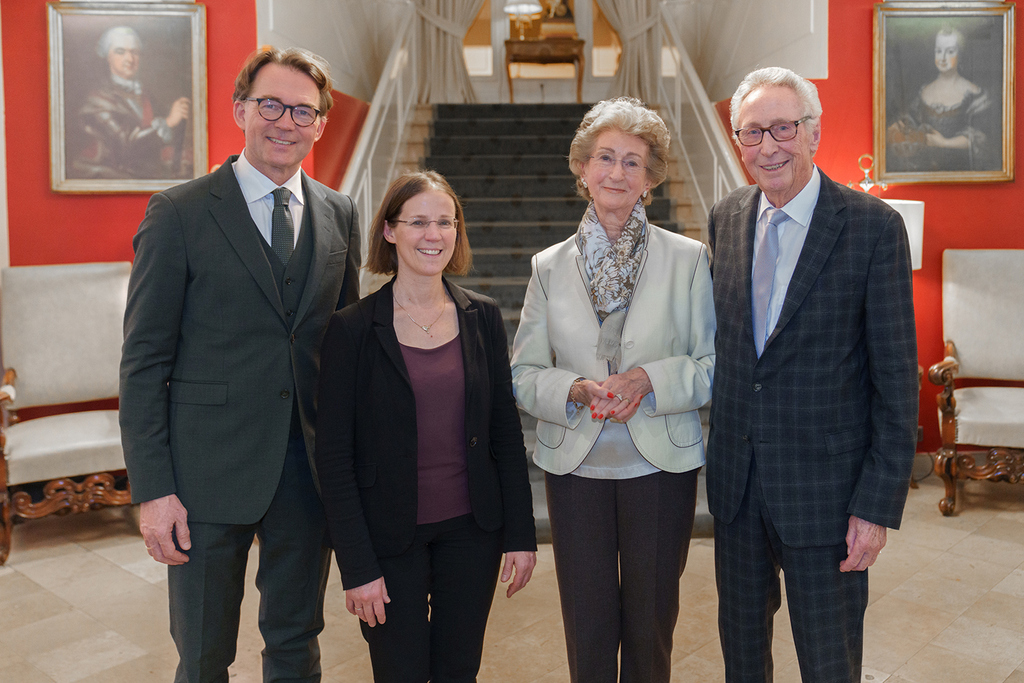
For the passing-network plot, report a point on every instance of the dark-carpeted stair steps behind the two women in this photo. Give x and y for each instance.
(509, 165)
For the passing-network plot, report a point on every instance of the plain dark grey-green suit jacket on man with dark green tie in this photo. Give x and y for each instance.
(211, 359)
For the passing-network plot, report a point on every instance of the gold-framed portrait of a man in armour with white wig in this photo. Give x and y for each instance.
(127, 96)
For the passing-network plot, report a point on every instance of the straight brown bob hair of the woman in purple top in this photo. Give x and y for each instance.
(382, 258)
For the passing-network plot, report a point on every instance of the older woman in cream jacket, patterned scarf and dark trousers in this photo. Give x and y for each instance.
(615, 355)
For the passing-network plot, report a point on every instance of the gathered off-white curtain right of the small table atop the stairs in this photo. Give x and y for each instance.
(636, 24)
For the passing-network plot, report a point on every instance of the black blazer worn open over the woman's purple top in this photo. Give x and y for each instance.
(367, 437)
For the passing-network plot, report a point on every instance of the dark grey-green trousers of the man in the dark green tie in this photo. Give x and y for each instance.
(206, 592)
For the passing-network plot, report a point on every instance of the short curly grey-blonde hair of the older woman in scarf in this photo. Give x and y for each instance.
(630, 116)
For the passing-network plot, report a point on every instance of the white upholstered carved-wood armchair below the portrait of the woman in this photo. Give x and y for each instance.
(984, 329)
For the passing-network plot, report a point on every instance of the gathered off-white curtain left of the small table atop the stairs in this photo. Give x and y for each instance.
(443, 26)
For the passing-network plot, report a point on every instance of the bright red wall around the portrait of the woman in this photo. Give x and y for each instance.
(957, 217)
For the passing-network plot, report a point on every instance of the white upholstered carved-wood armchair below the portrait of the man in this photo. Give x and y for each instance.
(61, 336)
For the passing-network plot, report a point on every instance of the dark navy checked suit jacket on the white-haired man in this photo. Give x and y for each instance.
(829, 413)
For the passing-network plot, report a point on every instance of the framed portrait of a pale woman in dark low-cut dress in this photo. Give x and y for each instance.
(945, 92)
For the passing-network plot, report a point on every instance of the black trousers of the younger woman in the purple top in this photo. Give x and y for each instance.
(441, 589)
